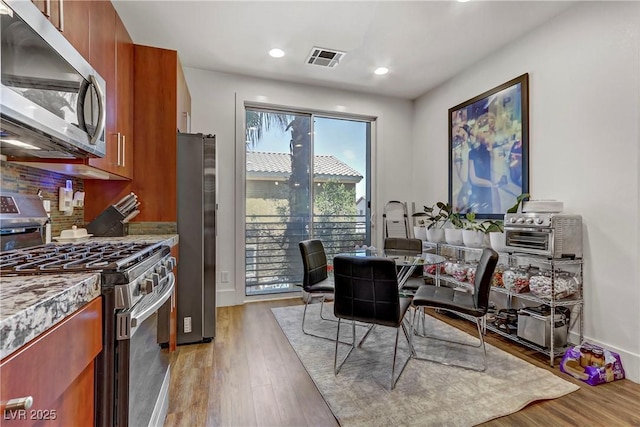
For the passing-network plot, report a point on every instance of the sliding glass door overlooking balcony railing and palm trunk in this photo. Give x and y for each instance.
(306, 176)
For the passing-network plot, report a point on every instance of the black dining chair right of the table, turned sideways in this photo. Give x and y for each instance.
(472, 305)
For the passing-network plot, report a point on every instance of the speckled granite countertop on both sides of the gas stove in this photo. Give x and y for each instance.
(30, 305)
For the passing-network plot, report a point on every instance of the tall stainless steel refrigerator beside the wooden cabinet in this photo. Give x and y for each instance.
(196, 286)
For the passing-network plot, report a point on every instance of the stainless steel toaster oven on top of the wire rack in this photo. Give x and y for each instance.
(552, 235)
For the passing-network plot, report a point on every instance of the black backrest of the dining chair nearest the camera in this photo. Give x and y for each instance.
(366, 289)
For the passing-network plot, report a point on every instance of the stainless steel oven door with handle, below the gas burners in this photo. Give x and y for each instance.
(142, 367)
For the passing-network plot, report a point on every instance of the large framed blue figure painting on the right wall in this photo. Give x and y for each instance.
(489, 150)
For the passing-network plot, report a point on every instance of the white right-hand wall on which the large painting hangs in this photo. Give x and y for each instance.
(584, 90)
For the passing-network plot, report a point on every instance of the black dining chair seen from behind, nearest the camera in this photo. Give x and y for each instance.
(366, 291)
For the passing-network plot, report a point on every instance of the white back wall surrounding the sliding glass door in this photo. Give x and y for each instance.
(218, 107)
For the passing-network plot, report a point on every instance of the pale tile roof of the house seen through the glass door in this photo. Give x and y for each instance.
(260, 164)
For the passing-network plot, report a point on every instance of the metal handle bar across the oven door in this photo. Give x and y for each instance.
(127, 321)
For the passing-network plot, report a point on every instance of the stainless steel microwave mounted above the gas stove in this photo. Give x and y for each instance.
(52, 102)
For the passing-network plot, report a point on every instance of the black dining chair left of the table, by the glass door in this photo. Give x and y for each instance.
(315, 280)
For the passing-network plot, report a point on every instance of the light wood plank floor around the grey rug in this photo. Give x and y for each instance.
(250, 376)
